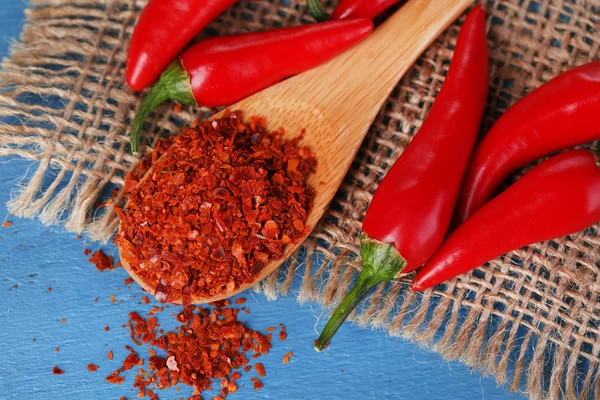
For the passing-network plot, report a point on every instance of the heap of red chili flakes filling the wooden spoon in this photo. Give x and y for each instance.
(221, 202)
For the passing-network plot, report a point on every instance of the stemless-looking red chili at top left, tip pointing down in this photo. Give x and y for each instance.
(165, 27)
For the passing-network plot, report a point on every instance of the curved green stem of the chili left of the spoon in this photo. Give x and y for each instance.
(173, 84)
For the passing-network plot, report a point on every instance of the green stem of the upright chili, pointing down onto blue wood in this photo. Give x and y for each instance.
(381, 263)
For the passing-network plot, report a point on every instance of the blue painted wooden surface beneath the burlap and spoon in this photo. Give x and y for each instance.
(361, 364)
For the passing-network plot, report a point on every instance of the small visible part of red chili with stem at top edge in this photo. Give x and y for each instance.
(351, 8)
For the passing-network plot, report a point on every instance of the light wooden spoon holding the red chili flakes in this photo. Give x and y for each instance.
(337, 103)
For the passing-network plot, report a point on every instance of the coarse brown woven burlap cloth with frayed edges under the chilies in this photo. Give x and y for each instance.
(531, 318)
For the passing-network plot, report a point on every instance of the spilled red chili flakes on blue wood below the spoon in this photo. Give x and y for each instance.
(208, 345)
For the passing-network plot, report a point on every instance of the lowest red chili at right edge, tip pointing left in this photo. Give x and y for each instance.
(557, 198)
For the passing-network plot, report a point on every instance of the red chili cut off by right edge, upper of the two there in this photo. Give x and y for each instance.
(563, 113)
